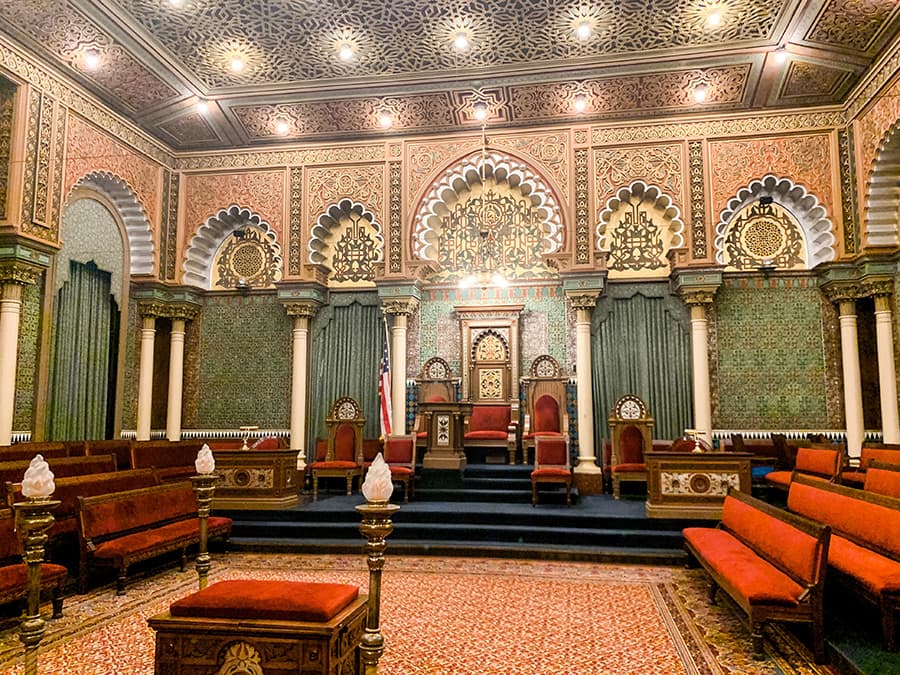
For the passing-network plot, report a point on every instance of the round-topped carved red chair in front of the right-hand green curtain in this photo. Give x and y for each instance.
(631, 431)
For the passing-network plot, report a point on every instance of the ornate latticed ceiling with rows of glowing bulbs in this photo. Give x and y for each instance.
(155, 59)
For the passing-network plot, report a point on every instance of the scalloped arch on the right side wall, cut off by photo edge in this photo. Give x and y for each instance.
(883, 197)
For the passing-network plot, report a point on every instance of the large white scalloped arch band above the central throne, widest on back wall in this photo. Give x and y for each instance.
(461, 177)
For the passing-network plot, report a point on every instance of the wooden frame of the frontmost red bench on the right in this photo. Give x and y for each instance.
(811, 607)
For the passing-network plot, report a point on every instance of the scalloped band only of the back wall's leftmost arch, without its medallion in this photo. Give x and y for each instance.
(201, 251)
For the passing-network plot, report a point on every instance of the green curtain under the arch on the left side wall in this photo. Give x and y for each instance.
(80, 374)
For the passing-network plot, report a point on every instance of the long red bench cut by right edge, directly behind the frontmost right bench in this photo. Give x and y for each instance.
(865, 542)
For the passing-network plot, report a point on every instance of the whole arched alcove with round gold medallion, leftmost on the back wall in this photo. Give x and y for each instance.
(235, 223)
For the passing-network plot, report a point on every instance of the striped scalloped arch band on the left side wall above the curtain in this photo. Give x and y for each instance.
(134, 218)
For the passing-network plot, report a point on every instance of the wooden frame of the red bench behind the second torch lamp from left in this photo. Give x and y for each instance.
(174, 541)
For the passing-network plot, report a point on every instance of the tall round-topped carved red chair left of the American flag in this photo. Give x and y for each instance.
(344, 453)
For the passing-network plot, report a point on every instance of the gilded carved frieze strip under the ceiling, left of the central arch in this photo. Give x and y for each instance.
(278, 157)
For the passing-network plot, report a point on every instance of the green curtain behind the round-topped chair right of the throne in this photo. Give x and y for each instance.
(641, 344)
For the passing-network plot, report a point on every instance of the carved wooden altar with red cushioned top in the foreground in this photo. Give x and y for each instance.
(280, 627)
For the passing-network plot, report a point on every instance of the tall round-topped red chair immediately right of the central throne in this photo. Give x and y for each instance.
(545, 403)
